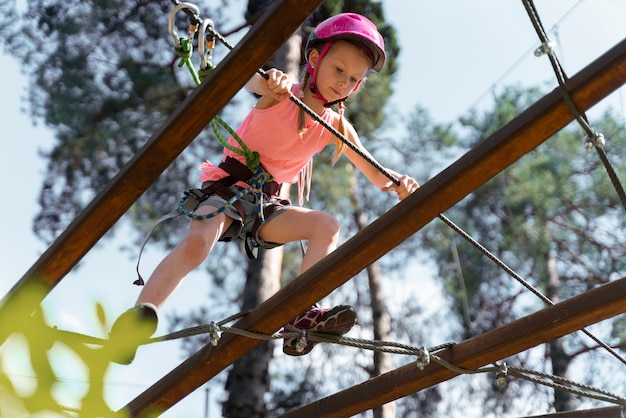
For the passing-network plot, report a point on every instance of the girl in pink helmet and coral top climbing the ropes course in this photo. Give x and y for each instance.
(339, 53)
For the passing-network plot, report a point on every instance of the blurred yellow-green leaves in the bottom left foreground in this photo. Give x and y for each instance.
(29, 341)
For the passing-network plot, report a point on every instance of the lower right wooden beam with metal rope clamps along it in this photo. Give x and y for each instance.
(555, 321)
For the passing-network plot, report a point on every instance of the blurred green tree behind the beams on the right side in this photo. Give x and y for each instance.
(552, 217)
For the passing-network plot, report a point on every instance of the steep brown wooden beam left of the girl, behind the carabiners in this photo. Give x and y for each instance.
(189, 119)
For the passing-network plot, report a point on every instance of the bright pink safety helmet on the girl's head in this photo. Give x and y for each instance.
(350, 27)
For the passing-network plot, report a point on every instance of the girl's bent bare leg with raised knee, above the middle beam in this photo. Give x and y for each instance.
(320, 229)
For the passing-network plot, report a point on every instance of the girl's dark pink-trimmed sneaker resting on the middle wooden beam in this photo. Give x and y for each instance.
(337, 321)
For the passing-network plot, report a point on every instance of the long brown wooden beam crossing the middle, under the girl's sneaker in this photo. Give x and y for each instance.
(479, 165)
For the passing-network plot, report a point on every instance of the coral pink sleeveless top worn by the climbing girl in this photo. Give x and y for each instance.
(284, 152)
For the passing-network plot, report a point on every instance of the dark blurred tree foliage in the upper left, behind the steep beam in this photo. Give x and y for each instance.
(105, 78)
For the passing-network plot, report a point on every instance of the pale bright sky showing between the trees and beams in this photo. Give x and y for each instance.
(453, 54)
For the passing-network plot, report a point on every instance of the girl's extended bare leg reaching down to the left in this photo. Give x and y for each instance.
(186, 256)
